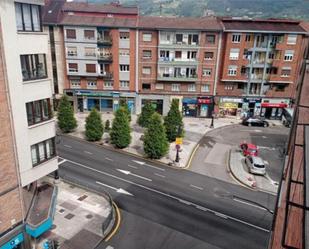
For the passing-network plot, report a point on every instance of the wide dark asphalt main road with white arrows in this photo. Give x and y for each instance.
(168, 208)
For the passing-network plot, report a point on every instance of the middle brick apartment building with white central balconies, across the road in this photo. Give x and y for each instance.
(178, 58)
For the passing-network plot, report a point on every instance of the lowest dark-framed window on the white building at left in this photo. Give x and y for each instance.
(43, 151)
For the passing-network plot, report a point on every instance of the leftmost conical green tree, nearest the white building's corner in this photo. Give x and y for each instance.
(66, 119)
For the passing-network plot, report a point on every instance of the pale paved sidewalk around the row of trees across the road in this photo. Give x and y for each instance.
(195, 129)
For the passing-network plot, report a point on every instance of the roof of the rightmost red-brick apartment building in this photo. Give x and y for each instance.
(262, 25)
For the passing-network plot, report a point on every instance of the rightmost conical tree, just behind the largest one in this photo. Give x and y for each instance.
(173, 122)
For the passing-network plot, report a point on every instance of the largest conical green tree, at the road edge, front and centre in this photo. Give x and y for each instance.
(155, 141)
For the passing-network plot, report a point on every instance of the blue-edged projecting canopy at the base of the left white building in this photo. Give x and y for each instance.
(42, 210)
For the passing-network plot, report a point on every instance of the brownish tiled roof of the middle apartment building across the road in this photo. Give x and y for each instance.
(190, 23)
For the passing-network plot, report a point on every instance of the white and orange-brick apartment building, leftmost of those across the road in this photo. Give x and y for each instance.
(98, 54)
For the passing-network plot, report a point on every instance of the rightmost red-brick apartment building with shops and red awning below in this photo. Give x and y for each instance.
(259, 66)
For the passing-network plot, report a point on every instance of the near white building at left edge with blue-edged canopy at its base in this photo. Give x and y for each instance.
(28, 128)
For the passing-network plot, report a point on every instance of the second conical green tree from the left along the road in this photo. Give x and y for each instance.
(94, 126)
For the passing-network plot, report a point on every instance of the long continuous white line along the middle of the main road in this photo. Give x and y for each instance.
(168, 195)
